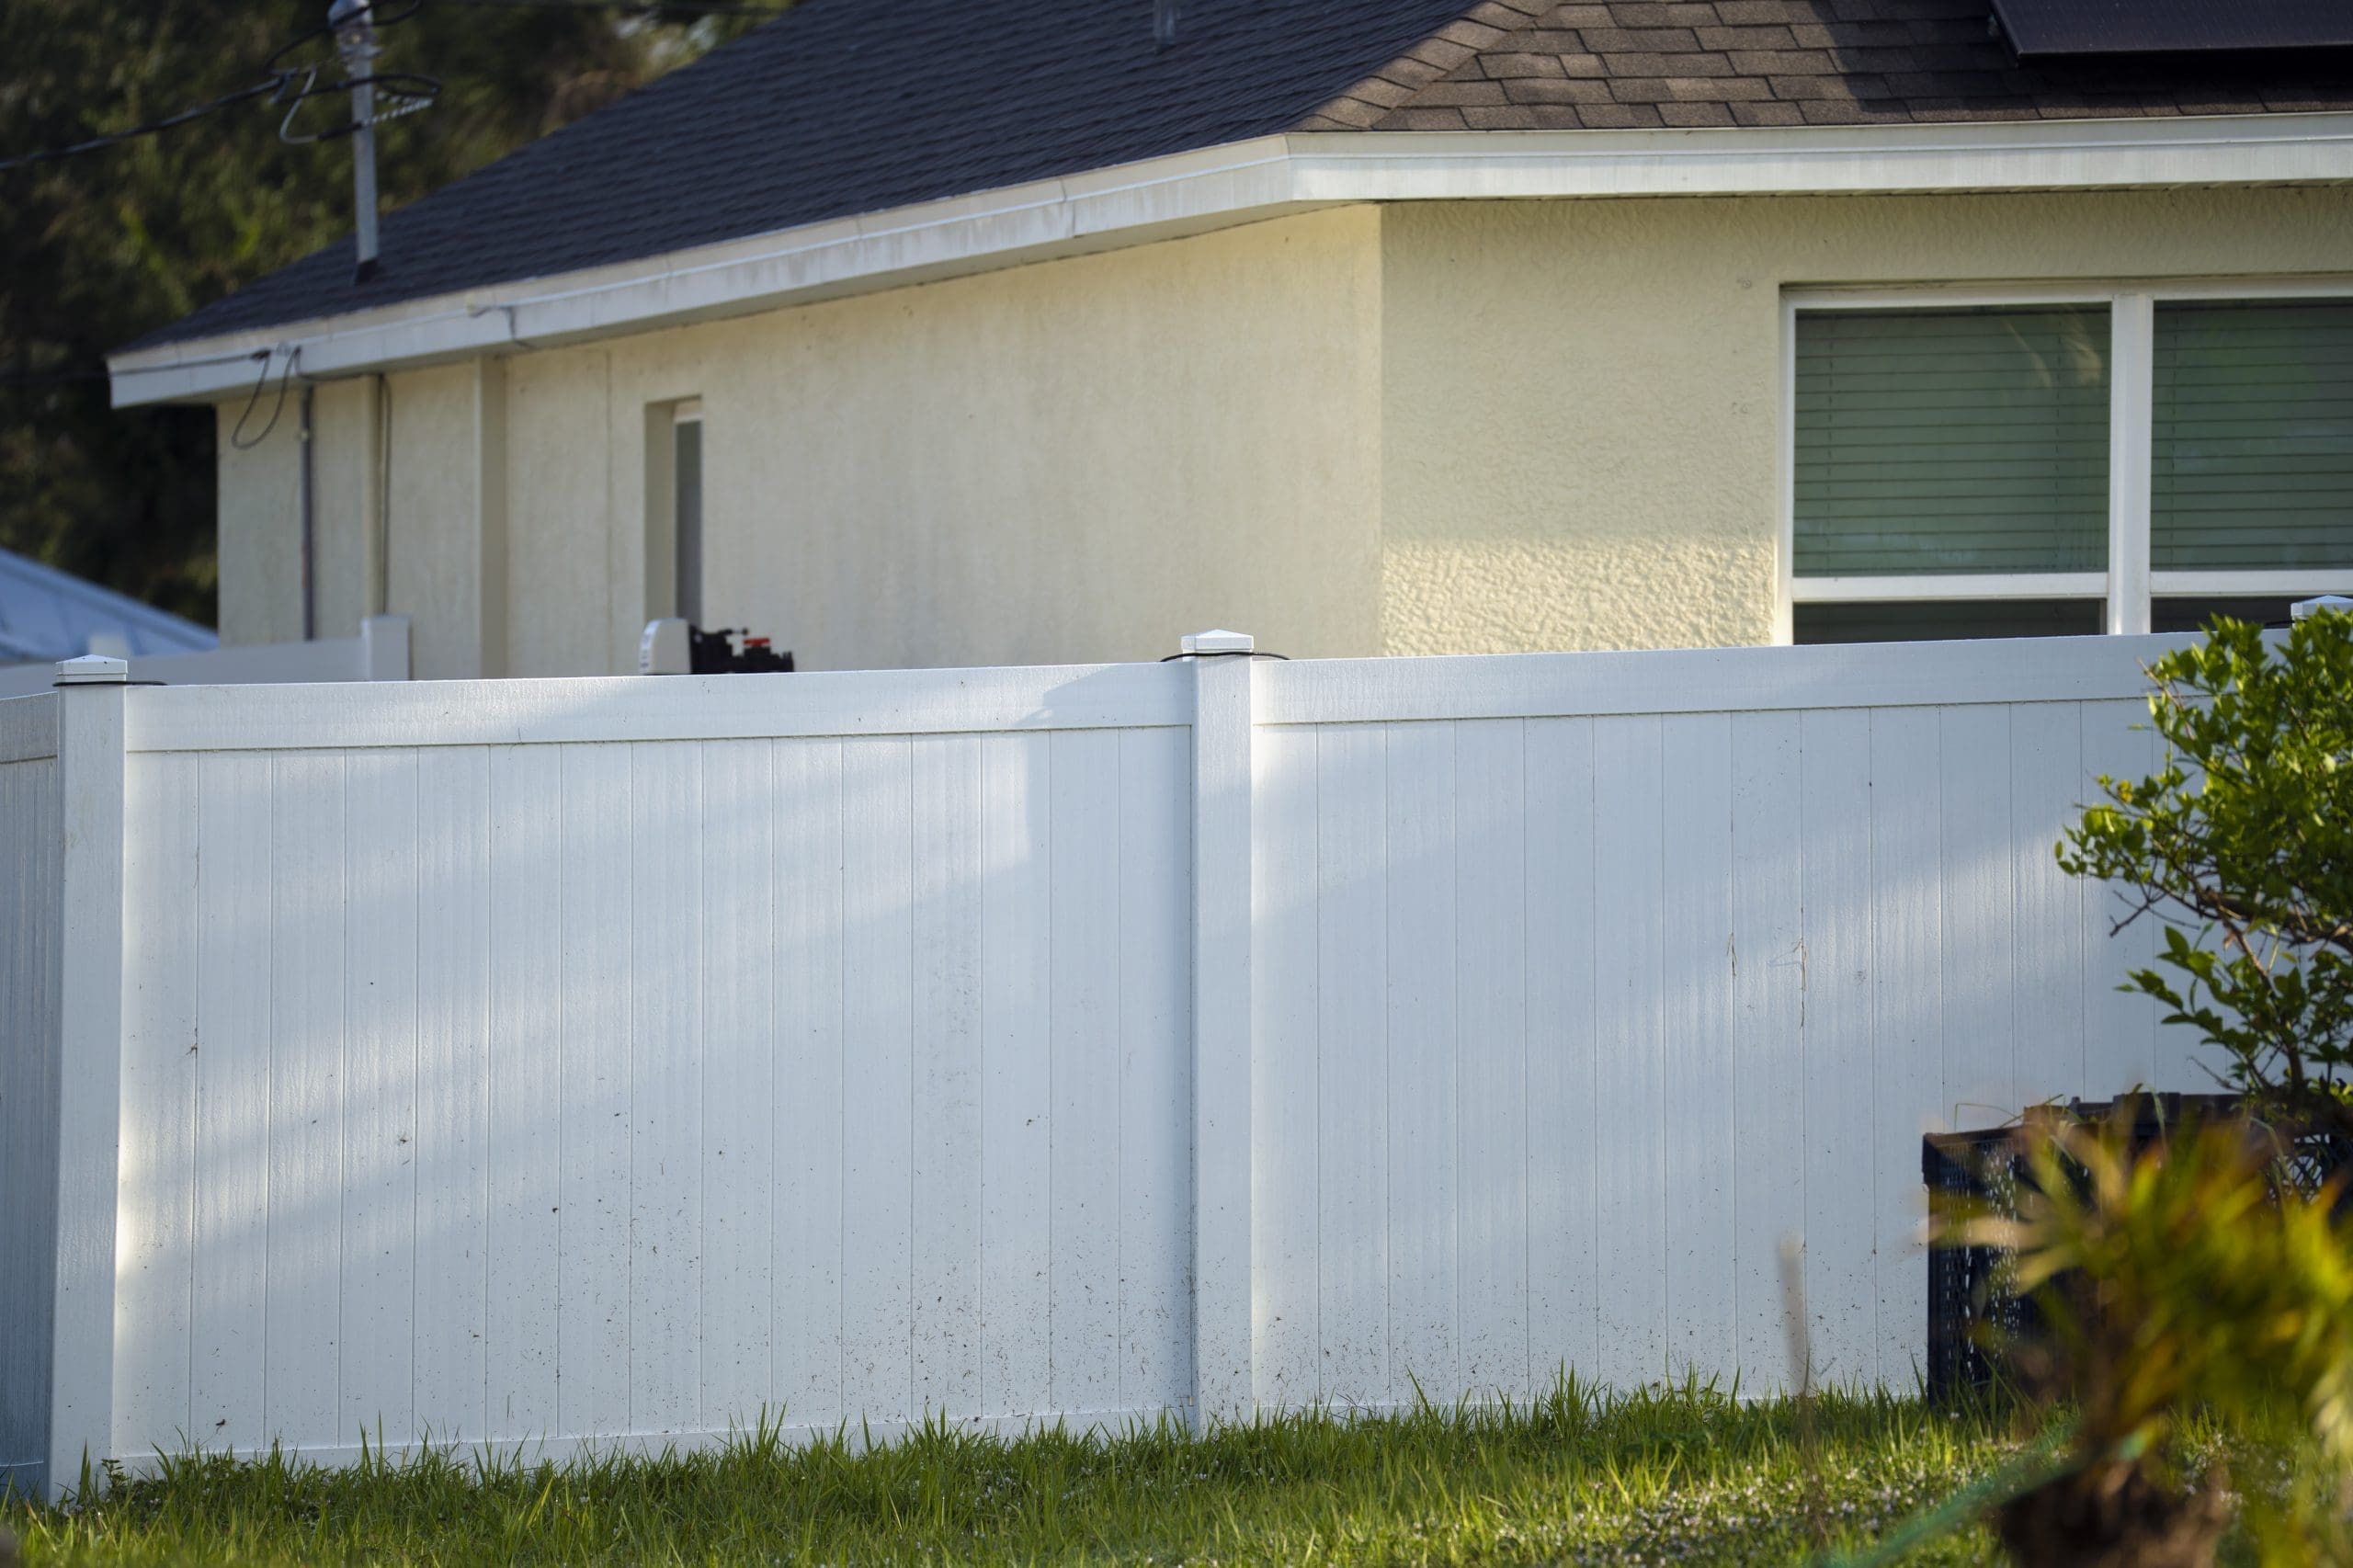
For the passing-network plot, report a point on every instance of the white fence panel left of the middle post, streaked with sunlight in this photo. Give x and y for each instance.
(627, 1089)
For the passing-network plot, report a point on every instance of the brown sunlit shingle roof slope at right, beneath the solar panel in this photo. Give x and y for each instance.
(1615, 65)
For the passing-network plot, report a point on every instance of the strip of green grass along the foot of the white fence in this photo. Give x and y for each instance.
(1662, 1477)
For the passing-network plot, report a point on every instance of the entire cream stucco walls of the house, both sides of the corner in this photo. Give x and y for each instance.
(1437, 427)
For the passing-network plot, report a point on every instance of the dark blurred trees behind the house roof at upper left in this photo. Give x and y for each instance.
(102, 248)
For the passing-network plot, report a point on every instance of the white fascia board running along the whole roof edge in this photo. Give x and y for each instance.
(1241, 185)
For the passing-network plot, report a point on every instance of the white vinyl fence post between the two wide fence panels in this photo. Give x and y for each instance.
(1225, 1386)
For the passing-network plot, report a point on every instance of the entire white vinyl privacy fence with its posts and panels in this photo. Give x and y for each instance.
(625, 1061)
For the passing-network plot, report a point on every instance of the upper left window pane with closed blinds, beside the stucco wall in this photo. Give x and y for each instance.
(1952, 441)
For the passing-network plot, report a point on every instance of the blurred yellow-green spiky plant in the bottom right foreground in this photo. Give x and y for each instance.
(2175, 1282)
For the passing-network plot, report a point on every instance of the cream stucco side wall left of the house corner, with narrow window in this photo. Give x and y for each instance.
(1065, 463)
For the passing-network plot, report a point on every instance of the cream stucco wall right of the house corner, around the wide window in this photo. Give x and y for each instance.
(1580, 418)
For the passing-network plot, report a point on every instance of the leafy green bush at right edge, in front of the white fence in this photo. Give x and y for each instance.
(2244, 846)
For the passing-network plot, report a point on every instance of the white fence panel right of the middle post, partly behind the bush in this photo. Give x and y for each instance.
(1580, 1002)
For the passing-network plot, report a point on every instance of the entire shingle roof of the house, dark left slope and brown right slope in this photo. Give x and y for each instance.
(853, 107)
